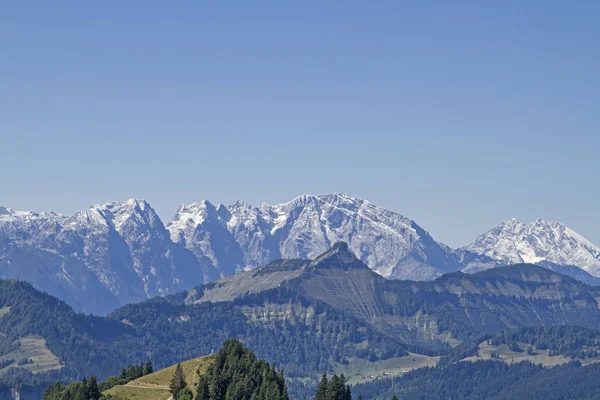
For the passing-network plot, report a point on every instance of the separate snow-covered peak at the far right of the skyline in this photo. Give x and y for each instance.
(514, 242)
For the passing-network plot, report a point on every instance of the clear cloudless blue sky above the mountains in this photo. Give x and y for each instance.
(458, 114)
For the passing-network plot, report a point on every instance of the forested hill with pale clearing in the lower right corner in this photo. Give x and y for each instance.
(557, 362)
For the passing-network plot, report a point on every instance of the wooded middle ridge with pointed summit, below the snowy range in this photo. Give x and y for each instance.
(328, 314)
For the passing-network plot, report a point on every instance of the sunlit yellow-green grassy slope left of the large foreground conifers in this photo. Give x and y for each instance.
(156, 386)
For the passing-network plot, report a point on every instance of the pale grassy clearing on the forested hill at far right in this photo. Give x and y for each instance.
(508, 356)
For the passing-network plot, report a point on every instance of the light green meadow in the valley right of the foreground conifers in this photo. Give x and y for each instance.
(359, 371)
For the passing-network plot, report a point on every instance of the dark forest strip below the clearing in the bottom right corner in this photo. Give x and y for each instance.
(489, 380)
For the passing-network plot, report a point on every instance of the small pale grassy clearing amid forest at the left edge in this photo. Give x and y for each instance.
(32, 348)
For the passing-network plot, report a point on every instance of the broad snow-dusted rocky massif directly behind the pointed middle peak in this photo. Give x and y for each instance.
(392, 245)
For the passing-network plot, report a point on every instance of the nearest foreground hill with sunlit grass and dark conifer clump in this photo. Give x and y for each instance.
(234, 372)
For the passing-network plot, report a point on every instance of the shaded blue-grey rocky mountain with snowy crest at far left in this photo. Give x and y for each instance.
(98, 259)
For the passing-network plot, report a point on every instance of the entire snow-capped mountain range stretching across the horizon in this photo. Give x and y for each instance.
(117, 253)
